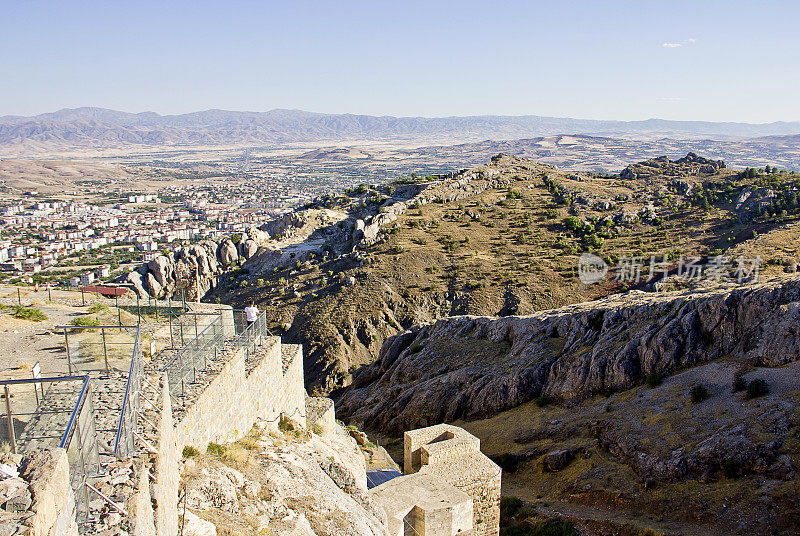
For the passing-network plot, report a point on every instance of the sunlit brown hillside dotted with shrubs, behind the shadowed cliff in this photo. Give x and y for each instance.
(500, 239)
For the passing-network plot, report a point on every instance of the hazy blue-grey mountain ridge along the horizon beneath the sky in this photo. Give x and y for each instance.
(99, 127)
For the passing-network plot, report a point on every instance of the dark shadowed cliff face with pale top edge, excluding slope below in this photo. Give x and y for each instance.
(470, 367)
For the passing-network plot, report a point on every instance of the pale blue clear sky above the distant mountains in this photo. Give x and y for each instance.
(702, 60)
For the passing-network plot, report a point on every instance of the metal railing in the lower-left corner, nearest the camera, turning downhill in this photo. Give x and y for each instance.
(79, 438)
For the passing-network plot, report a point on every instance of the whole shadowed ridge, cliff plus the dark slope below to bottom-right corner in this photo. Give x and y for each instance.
(672, 412)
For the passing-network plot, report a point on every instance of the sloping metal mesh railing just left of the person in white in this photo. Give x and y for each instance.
(182, 369)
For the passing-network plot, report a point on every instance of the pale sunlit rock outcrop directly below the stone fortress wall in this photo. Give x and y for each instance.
(290, 484)
